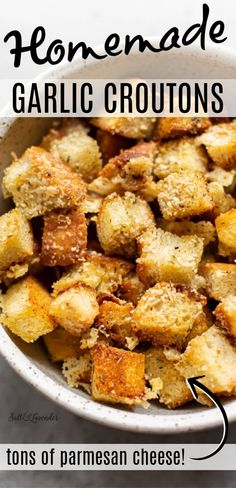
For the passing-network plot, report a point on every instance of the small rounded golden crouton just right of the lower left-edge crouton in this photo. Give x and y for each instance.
(75, 309)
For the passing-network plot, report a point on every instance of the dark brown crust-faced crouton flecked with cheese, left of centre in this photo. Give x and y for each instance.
(64, 237)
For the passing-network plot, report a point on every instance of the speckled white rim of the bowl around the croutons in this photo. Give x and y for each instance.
(86, 407)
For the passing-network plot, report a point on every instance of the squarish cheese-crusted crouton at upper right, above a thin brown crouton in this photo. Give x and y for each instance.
(184, 194)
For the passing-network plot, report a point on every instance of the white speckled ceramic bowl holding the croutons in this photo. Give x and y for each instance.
(30, 361)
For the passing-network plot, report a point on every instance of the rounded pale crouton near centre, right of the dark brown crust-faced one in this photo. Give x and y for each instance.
(120, 221)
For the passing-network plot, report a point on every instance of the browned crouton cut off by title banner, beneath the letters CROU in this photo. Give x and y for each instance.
(131, 127)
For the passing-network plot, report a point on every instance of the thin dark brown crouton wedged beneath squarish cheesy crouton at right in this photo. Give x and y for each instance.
(203, 229)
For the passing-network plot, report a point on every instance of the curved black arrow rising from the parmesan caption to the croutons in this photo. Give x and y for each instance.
(192, 384)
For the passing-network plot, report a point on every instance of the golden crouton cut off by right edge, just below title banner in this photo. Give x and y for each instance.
(220, 143)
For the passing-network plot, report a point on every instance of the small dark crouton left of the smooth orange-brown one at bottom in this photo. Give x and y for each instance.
(77, 371)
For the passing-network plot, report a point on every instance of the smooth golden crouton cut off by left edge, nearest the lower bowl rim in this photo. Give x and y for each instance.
(25, 309)
